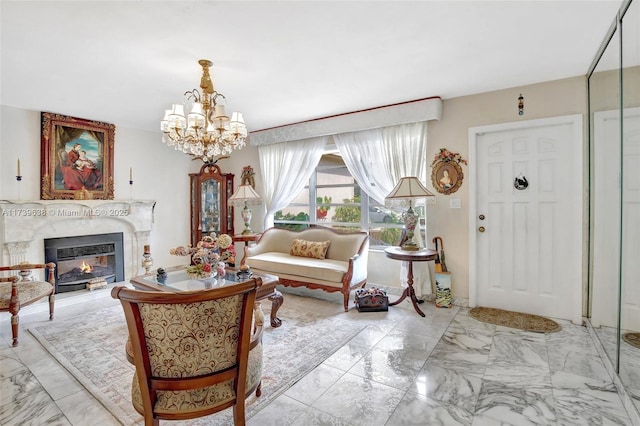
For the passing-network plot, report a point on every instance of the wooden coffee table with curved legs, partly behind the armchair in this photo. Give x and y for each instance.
(177, 281)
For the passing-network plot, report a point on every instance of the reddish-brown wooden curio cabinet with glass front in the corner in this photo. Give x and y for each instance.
(210, 212)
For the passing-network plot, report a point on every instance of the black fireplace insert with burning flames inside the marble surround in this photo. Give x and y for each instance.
(80, 259)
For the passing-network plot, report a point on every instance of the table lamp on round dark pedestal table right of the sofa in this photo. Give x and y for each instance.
(407, 190)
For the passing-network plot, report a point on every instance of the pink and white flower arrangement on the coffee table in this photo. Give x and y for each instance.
(208, 256)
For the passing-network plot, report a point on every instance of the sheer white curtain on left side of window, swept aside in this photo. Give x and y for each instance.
(286, 169)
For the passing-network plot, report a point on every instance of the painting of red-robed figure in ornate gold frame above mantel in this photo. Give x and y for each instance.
(77, 158)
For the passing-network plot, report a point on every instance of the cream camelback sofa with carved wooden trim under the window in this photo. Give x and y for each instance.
(343, 268)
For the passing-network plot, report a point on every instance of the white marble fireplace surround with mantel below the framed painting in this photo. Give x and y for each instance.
(24, 225)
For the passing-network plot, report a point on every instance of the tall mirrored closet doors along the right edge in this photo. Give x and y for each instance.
(614, 117)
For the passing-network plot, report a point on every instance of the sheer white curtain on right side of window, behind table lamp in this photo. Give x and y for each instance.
(378, 158)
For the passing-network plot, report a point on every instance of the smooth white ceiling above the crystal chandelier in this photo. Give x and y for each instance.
(281, 62)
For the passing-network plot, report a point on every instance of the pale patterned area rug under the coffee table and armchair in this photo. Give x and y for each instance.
(91, 348)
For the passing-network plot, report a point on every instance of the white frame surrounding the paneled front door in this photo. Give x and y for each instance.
(577, 140)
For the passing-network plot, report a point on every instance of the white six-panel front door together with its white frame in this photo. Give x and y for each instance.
(526, 217)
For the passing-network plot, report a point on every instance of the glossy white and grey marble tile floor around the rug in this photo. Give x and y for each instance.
(402, 369)
